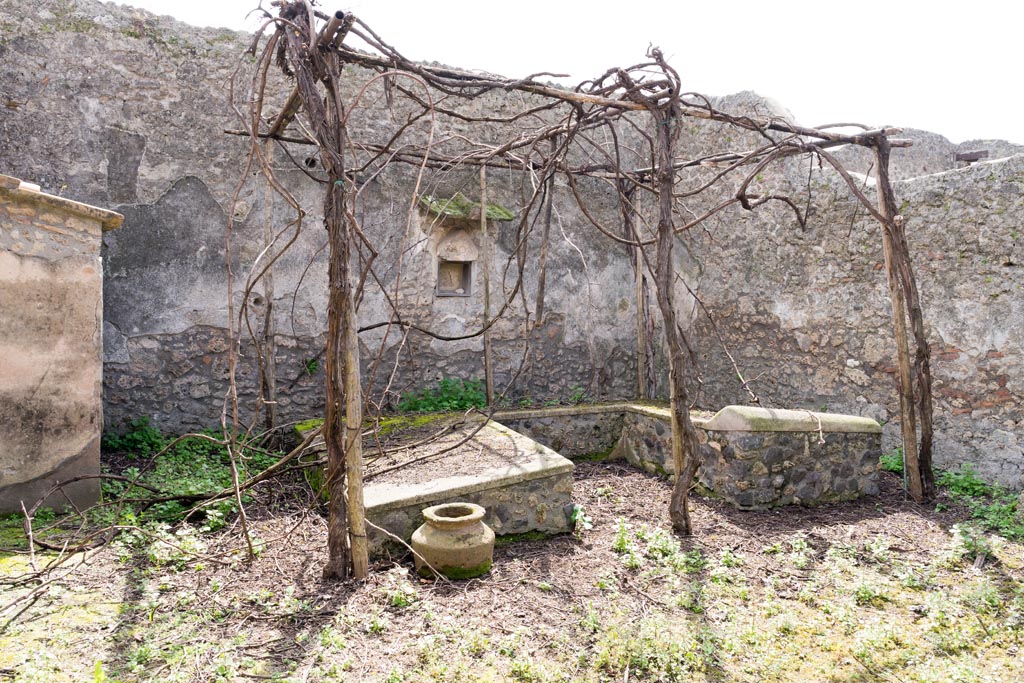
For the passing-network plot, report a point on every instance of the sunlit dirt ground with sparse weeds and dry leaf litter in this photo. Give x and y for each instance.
(875, 590)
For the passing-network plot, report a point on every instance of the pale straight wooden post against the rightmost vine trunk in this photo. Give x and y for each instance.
(887, 208)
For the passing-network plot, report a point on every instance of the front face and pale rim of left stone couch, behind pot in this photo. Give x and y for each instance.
(531, 496)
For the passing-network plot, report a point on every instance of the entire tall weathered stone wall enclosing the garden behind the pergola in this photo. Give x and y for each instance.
(126, 110)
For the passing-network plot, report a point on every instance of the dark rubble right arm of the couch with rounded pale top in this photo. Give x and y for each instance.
(756, 458)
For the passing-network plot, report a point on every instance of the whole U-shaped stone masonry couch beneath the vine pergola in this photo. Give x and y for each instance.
(753, 458)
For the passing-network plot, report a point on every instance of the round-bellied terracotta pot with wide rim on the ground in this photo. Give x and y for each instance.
(454, 541)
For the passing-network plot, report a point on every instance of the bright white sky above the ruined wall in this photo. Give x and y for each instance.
(952, 69)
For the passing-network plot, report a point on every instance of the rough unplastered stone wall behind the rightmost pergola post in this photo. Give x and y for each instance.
(806, 313)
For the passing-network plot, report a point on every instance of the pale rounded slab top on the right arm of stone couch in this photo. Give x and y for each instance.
(755, 419)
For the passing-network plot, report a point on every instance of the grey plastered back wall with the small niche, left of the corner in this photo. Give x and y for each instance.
(118, 107)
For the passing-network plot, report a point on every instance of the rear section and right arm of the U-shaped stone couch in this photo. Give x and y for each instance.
(753, 458)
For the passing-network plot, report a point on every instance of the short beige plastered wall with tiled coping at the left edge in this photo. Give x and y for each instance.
(51, 347)
